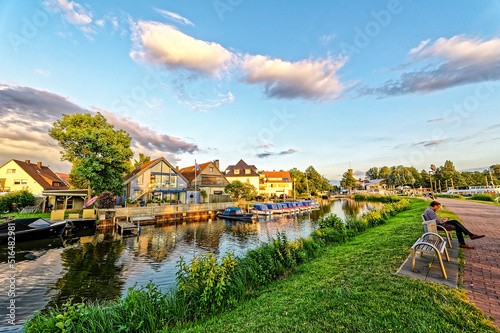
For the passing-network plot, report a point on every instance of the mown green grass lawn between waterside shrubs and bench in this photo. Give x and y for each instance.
(352, 287)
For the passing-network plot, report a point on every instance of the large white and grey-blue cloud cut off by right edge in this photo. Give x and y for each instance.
(446, 63)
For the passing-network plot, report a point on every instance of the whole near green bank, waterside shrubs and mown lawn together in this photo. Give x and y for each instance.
(341, 278)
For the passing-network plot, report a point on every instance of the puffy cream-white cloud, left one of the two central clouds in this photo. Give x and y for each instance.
(158, 43)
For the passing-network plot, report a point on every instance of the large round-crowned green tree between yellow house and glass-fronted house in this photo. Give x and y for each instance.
(99, 153)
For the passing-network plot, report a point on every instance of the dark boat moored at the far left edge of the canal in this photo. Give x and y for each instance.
(30, 229)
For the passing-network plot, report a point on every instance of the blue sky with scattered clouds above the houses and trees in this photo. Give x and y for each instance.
(279, 84)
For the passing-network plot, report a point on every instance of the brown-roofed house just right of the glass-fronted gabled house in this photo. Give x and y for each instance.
(207, 177)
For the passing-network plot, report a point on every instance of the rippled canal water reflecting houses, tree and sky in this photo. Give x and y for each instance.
(102, 265)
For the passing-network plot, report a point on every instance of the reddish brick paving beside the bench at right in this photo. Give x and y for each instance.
(482, 265)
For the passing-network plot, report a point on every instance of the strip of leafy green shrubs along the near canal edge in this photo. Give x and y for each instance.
(207, 286)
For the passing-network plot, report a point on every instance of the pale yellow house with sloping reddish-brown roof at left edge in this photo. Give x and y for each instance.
(18, 175)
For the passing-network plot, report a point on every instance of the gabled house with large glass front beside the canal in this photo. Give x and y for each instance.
(156, 179)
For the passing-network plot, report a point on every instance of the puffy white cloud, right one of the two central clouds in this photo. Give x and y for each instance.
(308, 79)
